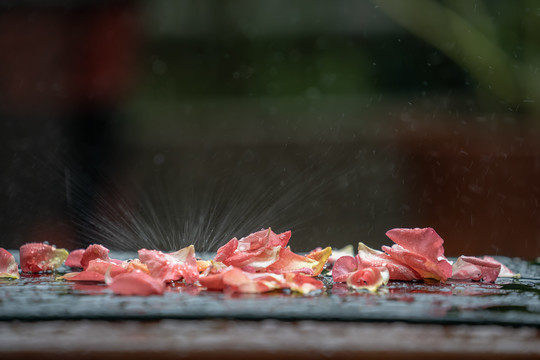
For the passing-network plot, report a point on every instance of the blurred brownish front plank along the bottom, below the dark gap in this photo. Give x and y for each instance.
(227, 339)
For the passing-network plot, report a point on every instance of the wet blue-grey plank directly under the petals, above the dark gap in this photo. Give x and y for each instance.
(510, 302)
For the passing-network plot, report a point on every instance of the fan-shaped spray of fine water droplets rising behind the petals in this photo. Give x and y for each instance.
(169, 214)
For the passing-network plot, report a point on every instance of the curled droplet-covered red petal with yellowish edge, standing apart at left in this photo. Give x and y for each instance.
(38, 257)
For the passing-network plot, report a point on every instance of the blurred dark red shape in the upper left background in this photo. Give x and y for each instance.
(57, 57)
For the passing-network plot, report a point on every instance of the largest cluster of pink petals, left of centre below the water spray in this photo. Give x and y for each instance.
(258, 263)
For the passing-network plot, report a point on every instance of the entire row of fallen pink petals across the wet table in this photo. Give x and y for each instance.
(258, 263)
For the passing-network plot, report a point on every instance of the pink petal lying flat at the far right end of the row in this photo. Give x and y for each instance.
(471, 268)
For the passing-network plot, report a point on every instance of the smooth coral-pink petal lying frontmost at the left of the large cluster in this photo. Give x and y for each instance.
(136, 283)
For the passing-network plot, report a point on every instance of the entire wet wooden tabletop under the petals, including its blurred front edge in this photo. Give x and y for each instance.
(508, 310)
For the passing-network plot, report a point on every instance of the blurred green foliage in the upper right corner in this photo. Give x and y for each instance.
(496, 42)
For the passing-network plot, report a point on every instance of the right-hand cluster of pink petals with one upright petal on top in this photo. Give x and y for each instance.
(416, 255)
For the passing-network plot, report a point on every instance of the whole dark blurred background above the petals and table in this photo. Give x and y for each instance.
(168, 122)
